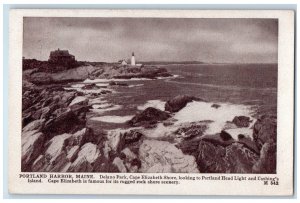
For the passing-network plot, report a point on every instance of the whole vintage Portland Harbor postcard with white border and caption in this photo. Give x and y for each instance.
(163, 102)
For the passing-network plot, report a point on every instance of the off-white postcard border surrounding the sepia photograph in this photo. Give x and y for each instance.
(285, 108)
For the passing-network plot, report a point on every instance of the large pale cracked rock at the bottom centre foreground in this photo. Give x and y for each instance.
(161, 156)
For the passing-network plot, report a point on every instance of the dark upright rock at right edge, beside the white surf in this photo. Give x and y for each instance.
(265, 130)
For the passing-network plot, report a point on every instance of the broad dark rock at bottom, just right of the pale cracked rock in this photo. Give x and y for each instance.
(235, 158)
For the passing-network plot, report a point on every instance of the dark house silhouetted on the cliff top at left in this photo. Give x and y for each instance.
(62, 57)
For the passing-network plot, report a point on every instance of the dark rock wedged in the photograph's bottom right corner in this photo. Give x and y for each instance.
(267, 160)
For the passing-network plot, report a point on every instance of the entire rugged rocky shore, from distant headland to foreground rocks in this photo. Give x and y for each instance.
(57, 138)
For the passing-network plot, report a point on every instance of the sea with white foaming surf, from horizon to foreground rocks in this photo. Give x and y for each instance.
(240, 89)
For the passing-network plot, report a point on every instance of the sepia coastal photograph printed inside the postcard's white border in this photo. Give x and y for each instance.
(150, 95)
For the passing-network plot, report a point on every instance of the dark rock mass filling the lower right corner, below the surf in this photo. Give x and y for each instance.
(220, 153)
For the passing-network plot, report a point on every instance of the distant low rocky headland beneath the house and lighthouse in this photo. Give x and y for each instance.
(88, 71)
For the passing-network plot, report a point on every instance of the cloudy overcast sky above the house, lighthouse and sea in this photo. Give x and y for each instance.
(153, 39)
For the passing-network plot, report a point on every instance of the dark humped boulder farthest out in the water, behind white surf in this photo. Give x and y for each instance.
(179, 102)
